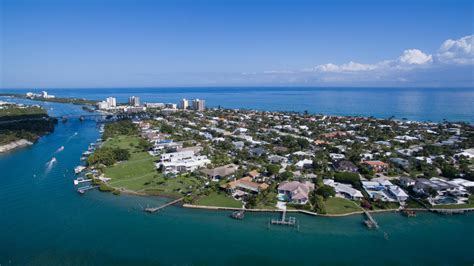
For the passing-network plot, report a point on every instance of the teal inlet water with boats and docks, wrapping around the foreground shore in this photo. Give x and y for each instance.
(43, 221)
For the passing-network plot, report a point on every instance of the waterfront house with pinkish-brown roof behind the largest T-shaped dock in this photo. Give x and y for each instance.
(294, 191)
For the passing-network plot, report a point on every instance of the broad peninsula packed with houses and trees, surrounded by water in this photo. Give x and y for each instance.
(272, 161)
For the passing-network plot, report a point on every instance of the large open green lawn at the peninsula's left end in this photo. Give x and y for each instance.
(139, 172)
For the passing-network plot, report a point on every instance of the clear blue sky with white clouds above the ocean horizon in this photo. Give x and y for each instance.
(73, 44)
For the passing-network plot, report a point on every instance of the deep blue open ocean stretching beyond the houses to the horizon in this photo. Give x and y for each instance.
(422, 104)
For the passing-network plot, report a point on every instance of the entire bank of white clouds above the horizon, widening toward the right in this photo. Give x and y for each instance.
(452, 62)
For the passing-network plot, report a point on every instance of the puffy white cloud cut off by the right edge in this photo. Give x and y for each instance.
(460, 51)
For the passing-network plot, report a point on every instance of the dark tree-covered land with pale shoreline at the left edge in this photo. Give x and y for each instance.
(21, 125)
